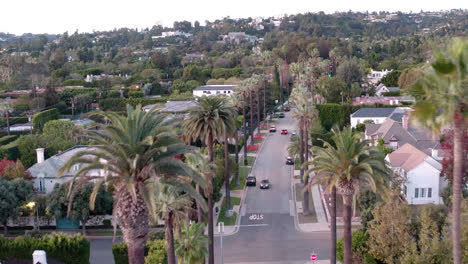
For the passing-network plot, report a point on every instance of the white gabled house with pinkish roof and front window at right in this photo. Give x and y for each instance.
(421, 172)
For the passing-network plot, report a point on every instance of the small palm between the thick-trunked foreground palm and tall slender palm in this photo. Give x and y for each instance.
(170, 205)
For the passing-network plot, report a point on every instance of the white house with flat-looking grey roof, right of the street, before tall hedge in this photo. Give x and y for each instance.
(376, 115)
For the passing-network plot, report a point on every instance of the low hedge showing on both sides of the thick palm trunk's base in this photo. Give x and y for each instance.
(155, 252)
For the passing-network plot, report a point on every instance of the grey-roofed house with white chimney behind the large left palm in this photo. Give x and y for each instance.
(44, 172)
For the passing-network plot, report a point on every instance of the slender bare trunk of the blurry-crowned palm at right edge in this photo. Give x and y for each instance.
(457, 186)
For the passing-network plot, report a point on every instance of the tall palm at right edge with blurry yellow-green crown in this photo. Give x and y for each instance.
(442, 99)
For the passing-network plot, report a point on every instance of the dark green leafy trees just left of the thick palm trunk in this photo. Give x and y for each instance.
(60, 204)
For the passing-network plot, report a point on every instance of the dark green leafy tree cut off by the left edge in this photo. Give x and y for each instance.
(13, 194)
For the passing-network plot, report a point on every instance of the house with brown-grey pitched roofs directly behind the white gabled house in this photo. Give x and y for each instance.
(396, 134)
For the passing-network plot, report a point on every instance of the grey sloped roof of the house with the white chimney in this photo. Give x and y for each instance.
(48, 168)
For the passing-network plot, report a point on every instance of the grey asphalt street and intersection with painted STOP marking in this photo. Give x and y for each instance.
(268, 232)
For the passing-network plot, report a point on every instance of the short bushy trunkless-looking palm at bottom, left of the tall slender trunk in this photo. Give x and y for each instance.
(191, 247)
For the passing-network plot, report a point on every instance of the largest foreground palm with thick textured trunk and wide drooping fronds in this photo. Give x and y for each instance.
(134, 152)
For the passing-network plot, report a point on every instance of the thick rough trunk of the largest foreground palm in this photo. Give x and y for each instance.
(133, 223)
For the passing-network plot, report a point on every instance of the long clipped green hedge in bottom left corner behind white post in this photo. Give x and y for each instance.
(61, 247)
